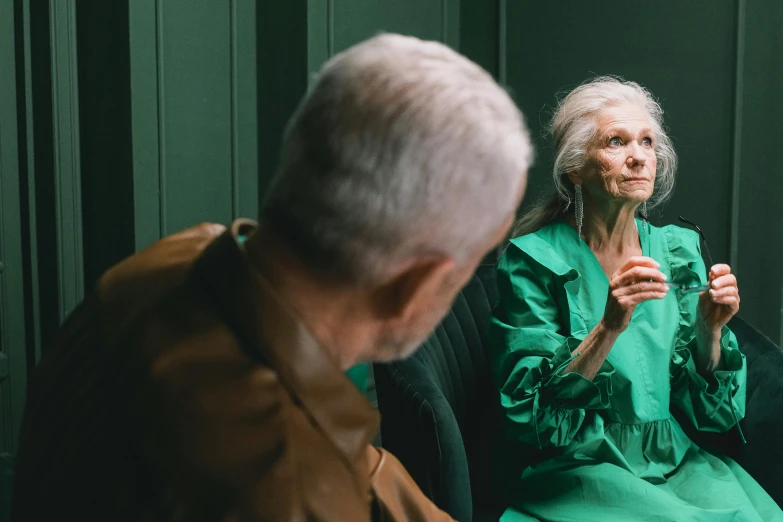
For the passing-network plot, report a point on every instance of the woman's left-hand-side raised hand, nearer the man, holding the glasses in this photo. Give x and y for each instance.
(636, 281)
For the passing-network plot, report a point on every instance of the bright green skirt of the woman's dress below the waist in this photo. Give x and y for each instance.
(699, 487)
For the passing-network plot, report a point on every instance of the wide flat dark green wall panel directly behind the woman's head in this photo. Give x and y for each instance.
(547, 53)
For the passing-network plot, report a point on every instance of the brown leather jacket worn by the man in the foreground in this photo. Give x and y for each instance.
(183, 390)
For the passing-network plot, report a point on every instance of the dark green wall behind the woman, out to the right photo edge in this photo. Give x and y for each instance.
(715, 67)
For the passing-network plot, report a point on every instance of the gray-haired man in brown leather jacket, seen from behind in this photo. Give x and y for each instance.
(203, 379)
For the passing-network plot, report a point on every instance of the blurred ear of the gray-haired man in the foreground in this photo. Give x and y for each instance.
(412, 288)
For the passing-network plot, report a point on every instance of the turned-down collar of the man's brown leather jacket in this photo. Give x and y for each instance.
(273, 335)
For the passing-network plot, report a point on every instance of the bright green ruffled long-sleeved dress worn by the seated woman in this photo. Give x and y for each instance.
(618, 453)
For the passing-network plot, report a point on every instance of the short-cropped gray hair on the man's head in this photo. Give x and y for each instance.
(401, 148)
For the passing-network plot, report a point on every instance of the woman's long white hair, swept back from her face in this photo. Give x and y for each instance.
(574, 127)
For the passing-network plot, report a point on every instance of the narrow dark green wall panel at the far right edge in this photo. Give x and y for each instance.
(759, 219)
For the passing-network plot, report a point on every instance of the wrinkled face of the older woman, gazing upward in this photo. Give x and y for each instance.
(621, 159)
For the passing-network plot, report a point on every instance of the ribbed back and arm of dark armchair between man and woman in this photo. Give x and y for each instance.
(439, 409)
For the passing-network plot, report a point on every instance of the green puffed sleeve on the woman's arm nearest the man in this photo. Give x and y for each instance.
(531, 345)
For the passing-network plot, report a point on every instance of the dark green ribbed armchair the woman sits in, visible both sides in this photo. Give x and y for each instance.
(440, 410)
